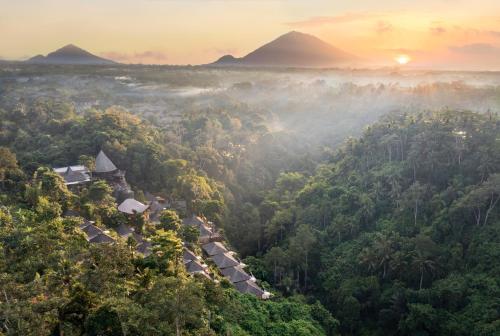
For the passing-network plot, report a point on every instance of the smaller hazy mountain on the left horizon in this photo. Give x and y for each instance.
(70, 54)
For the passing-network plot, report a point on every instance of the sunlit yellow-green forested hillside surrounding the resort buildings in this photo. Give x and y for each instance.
(54, 282)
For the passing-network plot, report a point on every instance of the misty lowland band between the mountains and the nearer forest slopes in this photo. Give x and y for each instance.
(321, 106)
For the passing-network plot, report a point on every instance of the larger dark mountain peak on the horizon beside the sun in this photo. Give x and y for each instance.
(293, 49)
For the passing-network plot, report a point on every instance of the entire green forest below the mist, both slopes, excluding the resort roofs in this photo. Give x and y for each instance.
(395, 233)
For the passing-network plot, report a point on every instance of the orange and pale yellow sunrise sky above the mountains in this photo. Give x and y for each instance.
(448, 34)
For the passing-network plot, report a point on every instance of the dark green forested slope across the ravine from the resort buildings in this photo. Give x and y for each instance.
(398, 234)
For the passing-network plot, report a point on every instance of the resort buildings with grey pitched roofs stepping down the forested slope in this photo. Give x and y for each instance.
(210, 238)
